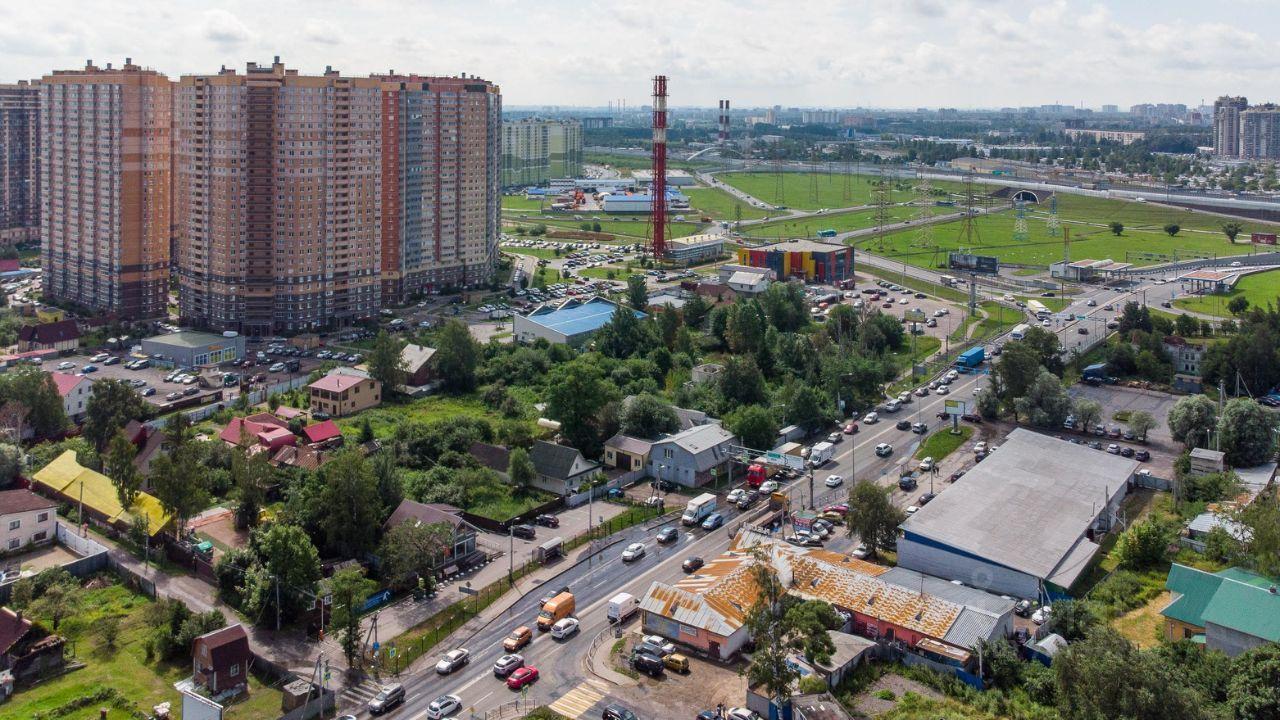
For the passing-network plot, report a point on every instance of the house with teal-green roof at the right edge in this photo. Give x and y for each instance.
(1231, 612)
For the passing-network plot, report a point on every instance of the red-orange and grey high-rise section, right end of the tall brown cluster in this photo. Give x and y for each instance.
(441, 213)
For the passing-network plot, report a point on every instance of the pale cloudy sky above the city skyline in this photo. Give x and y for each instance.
(808, 53)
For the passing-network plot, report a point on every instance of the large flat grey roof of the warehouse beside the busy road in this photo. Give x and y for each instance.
(1028, 505)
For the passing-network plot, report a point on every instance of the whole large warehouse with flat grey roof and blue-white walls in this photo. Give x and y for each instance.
(1025, 522)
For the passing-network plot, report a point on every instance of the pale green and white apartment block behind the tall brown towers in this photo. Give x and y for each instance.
(536, 151)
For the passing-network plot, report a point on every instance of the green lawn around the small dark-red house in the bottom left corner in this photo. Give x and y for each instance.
(143, 683)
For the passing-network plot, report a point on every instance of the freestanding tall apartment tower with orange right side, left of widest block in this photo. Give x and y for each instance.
(106, 188)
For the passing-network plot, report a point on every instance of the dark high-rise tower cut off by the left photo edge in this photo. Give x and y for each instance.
(20, 163)
